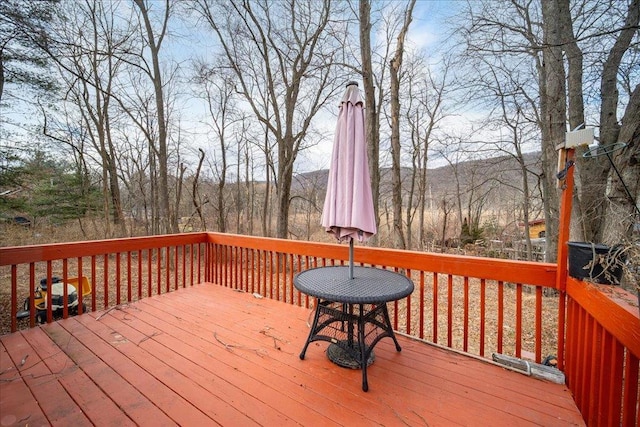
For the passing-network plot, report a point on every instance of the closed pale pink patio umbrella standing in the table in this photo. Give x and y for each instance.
(348, 206)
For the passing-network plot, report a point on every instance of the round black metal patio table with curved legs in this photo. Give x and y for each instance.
(346, 306)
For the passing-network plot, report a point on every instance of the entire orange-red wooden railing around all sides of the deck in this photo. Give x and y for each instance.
(475, 305)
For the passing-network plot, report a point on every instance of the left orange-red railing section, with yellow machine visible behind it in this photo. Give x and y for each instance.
(119, 271)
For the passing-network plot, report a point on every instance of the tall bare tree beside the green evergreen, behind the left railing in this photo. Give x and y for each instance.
(83, 50)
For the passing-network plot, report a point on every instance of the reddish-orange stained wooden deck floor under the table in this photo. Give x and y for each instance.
(209, 355)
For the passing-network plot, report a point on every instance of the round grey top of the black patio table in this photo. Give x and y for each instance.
(368, 286)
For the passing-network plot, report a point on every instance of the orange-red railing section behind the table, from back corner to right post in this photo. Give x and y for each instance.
(476, 305)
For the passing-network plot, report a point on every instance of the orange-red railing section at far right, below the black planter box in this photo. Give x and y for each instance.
(603, 348)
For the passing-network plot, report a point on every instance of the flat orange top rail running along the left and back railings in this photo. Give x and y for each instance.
(533, 273)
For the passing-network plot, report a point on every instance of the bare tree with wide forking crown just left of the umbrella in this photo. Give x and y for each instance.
(282, 55)
